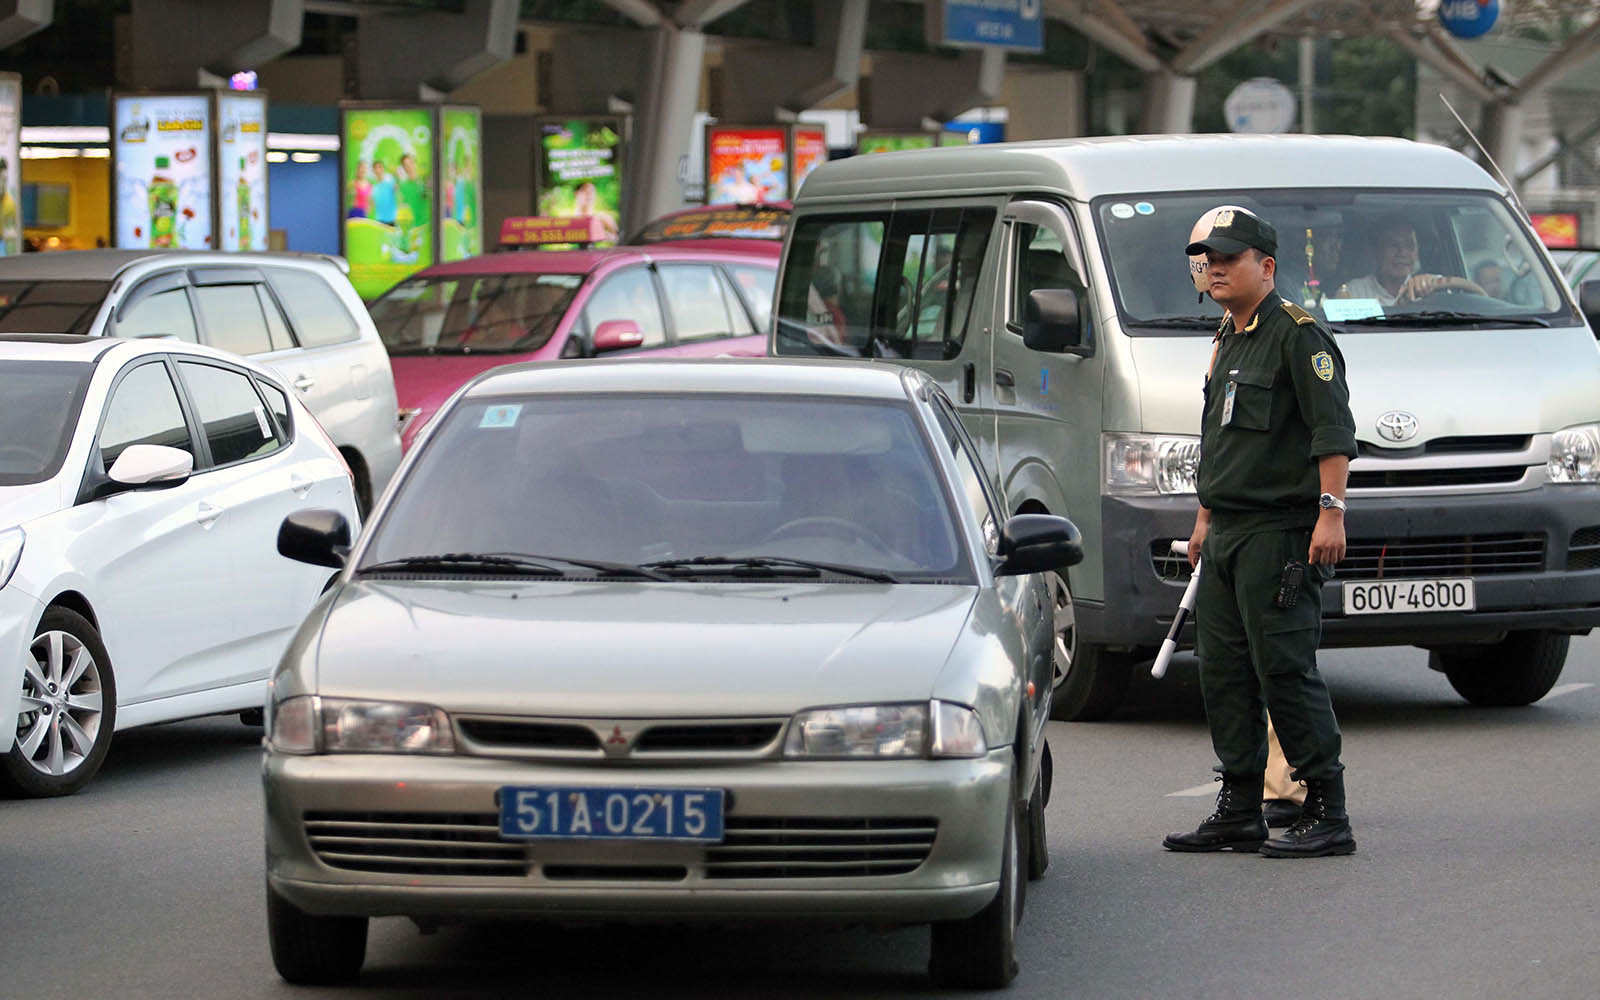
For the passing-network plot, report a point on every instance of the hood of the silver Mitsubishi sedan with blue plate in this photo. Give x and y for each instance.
(639, 649)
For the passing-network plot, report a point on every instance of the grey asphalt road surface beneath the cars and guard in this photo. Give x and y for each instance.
(1478, 876)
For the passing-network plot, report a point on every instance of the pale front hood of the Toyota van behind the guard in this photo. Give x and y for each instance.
(1530, 380)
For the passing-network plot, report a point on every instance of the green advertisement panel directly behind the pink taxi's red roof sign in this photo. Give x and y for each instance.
(578, 170)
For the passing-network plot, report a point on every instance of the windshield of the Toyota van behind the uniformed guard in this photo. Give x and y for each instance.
(1346, 257)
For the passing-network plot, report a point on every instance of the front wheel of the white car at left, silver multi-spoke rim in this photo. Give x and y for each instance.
(68, 711)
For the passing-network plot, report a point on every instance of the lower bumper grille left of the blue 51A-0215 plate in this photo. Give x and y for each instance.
(415, 844)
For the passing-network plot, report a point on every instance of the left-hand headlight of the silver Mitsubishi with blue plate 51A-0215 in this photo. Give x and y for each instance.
(310, 724)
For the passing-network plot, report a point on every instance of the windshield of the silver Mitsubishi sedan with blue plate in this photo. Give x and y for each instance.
(702, 487)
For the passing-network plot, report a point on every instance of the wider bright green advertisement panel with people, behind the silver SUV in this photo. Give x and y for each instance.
(386, 191)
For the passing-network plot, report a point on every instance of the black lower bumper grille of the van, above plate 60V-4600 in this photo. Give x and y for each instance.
(1418, 558)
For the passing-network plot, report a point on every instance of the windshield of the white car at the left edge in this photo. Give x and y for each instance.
(39, 410)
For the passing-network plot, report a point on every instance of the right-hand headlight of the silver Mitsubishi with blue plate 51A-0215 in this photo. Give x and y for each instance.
(937, 729)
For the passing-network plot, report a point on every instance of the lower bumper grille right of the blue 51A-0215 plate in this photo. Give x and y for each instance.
(823, 847)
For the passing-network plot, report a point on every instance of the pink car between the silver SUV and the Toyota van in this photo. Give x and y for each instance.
(450, 322)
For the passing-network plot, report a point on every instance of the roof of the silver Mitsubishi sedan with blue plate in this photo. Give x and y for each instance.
(686, 377)
